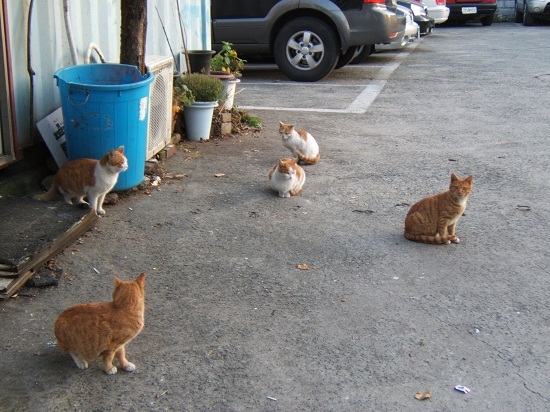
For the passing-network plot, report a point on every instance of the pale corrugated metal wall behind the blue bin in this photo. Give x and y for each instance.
(96, 21)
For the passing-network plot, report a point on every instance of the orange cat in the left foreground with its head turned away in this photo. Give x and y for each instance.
(103, 328)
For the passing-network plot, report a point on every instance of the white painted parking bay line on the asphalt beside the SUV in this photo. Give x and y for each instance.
(363, 101)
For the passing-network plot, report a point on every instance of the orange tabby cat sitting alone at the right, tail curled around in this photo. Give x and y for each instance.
(433, 219)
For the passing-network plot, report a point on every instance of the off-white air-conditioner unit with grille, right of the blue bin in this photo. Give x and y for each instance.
(160, 109)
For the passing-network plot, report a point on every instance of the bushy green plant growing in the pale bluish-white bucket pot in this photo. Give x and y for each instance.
(197, 87)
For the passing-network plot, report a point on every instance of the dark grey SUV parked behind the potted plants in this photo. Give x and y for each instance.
(307, 38)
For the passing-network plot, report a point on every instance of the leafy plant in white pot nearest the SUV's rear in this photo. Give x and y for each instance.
(227, 65)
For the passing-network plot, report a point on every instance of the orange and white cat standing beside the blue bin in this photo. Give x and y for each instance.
(88, 177)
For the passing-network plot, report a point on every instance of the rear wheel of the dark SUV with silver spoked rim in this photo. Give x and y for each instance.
(306, 49)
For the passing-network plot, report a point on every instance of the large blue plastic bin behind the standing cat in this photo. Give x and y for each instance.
(106, 106)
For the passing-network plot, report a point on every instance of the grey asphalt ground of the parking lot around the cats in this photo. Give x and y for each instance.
(233, 325)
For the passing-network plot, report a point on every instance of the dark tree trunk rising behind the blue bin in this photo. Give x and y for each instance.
(133, 32)
